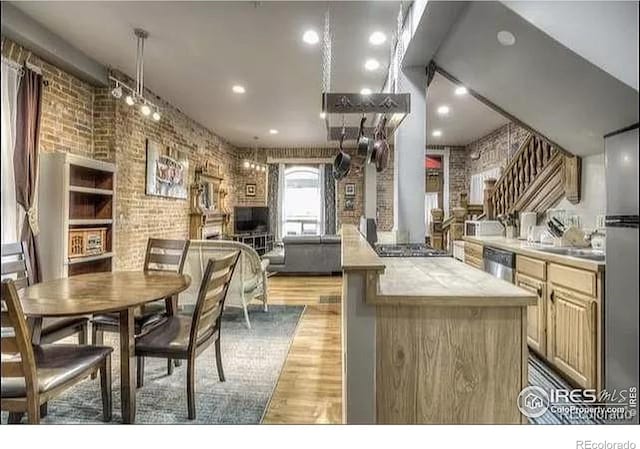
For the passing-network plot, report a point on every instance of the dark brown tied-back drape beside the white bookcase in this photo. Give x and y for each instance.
(25, 158)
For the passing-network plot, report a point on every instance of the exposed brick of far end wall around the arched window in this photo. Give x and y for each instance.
(356, 176)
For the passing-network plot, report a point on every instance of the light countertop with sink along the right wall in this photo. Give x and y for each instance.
(525, 248)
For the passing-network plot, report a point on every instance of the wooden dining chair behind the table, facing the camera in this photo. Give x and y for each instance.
(162, 255)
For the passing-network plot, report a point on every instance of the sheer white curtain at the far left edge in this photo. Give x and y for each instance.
(9, 94)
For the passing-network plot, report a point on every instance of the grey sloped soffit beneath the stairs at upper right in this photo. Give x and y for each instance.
(541, 82)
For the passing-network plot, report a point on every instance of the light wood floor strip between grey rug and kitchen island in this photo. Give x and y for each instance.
(309, 388)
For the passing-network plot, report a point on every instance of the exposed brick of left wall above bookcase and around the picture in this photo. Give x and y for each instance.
(86, 120)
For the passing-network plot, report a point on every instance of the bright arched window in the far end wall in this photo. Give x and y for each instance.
(302, 200)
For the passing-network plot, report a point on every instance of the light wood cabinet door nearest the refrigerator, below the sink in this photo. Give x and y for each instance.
(571, 334)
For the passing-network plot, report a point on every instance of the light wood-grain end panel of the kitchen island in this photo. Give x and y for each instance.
(449, 365)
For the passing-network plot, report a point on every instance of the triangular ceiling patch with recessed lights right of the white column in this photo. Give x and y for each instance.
(468, 118)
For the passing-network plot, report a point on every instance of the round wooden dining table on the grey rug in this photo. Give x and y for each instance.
(95, 293)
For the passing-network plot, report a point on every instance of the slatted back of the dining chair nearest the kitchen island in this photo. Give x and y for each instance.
(211, 297)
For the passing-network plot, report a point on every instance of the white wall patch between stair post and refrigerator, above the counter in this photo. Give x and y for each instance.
(593, 194)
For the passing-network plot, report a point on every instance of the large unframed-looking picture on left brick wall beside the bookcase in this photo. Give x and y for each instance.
(167, 171)
